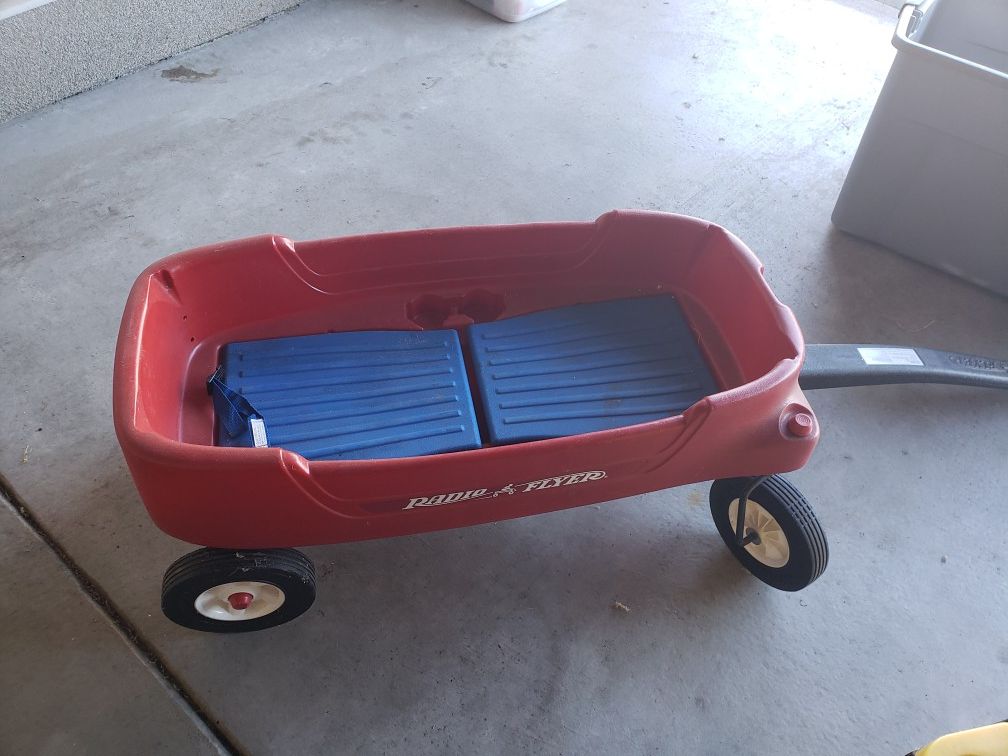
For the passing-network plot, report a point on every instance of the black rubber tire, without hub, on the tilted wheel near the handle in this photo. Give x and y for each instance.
(809, 553)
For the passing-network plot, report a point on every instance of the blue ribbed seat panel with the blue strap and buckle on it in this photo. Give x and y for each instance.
(349, 397)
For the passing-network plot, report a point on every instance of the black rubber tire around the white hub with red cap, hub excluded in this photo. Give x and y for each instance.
(287, 569)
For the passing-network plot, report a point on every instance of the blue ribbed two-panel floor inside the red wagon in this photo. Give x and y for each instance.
(381, 395)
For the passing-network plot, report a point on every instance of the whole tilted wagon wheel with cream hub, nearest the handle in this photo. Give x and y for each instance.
(783, 544)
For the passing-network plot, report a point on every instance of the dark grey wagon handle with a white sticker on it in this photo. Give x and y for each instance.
(842, 365)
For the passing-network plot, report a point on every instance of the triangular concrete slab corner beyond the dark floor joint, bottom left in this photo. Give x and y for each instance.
(69, 680)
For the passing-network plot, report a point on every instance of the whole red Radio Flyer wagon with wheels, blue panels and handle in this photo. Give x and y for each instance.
(271, 395)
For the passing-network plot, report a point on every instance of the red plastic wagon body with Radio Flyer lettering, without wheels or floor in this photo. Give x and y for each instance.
(183, 310)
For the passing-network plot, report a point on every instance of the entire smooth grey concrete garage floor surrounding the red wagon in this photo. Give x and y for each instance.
(364, 116)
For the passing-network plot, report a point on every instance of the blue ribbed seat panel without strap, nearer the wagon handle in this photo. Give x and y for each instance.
(588, 367)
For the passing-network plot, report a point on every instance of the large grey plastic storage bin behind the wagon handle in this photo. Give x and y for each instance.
(931, 177)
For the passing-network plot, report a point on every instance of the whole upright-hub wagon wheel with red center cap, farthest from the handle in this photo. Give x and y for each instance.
(234, 592)
